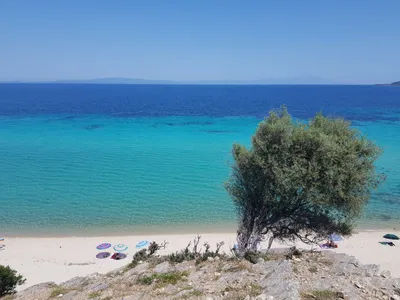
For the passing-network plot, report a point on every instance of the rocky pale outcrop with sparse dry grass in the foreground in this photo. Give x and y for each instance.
(313, 275)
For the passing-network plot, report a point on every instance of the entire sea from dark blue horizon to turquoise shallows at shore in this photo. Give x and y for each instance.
(96, 159)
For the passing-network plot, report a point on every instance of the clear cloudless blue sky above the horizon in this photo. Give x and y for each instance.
(354, 41)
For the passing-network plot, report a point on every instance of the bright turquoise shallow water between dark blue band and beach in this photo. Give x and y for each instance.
(137, 174)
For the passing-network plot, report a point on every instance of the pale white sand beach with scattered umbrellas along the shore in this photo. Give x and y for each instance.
(62, 258)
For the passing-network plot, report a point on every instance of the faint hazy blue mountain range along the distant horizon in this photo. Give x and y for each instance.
(294, 80)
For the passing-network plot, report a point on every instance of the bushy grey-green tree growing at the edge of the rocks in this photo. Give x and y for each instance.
(301, 181)
